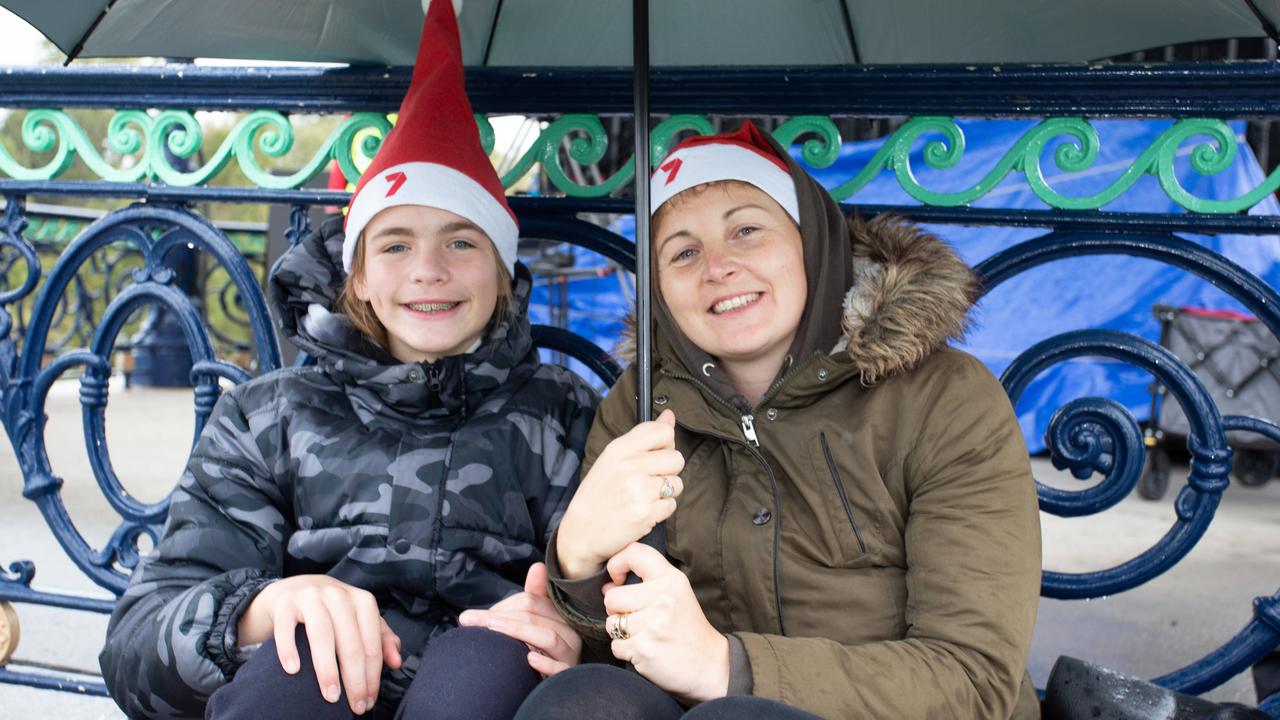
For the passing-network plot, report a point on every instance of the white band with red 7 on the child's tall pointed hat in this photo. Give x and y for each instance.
(432, 185)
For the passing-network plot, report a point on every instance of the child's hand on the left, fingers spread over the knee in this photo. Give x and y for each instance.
(344, 628)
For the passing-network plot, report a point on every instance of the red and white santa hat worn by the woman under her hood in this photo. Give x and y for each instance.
(743, 156)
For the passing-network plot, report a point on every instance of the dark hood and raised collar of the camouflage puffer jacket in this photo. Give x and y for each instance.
(305, 288)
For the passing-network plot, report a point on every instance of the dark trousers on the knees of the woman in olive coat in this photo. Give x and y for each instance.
(589, 692)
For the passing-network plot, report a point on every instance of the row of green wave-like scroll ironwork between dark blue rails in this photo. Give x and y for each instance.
(147, 148)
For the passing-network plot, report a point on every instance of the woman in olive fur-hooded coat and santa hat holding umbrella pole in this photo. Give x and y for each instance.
(852, 526)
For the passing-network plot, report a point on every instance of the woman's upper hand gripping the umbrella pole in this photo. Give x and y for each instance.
(621, 499)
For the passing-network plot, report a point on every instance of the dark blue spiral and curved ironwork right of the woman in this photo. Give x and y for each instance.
(1098, 436)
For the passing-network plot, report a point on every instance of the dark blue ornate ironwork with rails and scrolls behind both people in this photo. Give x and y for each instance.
(1089, 438)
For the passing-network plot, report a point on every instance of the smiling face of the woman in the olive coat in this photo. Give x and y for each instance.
(732, 271)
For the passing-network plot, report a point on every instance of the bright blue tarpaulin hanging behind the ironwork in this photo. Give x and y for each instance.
(1116, 293)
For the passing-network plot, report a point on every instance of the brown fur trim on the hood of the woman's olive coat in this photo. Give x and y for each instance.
(912, 295)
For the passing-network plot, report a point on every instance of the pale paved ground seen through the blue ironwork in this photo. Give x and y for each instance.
(1146, 632)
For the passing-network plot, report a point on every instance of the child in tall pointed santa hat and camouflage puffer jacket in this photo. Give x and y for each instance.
(335, 521)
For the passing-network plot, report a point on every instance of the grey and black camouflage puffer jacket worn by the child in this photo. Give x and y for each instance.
(433, 486)
